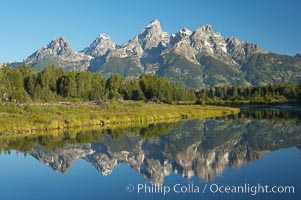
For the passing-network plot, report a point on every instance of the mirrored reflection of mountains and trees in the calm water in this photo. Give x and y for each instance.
(189, 148)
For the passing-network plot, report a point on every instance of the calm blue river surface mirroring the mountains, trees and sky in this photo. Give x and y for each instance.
(253, 155)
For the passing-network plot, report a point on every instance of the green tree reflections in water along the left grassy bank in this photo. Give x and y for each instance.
(58, 141)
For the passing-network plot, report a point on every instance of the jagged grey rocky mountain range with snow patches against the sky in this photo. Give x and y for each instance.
(199, 58)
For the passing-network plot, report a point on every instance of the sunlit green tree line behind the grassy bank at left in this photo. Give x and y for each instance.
(23, 84)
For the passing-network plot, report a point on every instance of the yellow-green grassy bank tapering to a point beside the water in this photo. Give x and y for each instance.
(30, 118)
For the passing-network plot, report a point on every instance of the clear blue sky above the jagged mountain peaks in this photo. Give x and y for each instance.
(27, 25)
